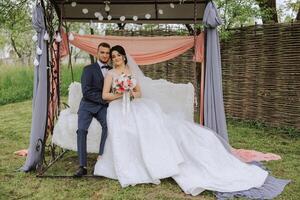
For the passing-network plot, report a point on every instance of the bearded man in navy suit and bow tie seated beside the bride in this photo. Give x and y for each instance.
(92, 104)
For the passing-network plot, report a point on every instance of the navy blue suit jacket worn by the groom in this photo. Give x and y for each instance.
(92, 82)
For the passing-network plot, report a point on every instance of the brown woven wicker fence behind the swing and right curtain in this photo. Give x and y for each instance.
(261, 72)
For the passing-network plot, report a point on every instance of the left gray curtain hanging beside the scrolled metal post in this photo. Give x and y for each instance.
(39, 101)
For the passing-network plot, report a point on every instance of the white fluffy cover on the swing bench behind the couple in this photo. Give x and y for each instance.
(174, 99)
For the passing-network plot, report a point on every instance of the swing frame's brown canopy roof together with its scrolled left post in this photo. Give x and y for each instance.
(57, 12)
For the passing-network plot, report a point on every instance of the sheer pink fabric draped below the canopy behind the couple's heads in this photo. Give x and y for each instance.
(144, 50)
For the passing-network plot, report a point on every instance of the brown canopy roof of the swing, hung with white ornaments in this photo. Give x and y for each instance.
(181, 14)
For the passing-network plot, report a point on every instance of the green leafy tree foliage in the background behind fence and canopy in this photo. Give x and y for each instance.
(16, 30)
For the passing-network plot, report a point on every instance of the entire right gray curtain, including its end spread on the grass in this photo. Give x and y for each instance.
(214, 115)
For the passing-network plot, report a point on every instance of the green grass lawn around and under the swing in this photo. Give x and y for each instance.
(15, 122)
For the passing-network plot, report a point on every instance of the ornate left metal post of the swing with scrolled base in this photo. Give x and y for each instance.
(53, 91)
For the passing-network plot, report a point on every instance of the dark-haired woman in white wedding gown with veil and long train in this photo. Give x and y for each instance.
(145, 145)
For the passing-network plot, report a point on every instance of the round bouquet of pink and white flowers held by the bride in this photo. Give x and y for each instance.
(124, 83)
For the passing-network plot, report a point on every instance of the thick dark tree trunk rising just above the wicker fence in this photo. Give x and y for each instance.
(269, 8)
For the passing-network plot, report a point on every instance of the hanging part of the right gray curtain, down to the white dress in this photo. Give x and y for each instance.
(214, 114)
